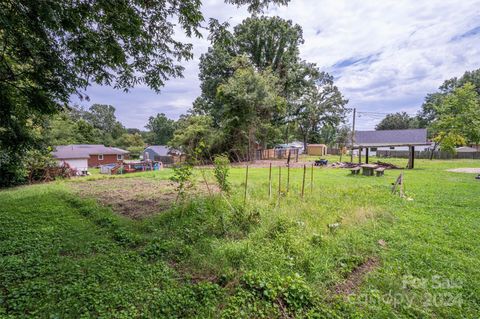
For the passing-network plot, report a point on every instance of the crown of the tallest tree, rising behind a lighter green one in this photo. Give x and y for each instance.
(268, 42)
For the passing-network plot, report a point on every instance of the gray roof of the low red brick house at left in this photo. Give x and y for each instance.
(85, 150)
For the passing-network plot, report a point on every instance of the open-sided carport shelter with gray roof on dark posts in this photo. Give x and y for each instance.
(390, 138)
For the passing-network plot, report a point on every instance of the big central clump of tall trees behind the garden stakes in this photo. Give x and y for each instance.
(271, 46)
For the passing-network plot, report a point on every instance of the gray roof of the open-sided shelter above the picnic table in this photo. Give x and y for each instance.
(391, 138)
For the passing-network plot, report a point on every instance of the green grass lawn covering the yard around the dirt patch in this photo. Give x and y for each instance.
(279, 256)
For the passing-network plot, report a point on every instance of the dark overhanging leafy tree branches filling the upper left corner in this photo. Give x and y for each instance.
(51, 50)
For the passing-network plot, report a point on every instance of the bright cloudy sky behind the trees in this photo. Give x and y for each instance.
(385, 55)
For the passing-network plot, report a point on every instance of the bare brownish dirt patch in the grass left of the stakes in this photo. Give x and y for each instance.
(132, 197)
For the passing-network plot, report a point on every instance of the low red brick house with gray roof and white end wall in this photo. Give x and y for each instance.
(83, 156)
